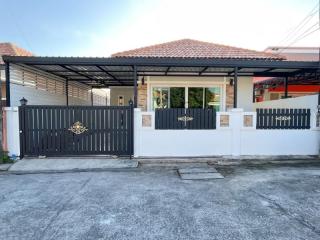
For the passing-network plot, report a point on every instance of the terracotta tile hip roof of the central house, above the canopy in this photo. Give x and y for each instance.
(188, 48)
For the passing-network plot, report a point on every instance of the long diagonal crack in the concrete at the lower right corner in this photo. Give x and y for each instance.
(298, 219)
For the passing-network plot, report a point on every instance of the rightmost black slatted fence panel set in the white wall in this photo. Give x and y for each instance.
(283, 118)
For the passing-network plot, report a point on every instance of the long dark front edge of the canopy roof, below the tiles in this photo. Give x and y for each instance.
(151, 61)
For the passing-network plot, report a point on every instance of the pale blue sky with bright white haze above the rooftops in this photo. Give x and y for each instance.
(101, 27)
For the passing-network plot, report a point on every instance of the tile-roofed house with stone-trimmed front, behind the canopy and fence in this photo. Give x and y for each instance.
(178, 87)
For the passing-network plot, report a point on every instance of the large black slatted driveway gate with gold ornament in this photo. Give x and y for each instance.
(76, 130)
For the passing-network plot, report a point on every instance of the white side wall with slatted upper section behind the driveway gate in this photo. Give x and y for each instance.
(41, 88)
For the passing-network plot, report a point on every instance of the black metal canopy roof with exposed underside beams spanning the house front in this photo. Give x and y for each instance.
(120, 71)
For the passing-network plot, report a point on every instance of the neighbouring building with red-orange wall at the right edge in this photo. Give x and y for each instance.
(273, 89)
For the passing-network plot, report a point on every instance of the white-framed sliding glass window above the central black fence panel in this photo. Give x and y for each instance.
(186, 97)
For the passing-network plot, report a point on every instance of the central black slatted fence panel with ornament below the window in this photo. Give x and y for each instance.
(180, 118)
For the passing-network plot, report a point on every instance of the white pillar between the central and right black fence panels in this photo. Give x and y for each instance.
(236, 125)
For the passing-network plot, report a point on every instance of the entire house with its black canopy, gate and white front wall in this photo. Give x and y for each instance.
(188, 98)
